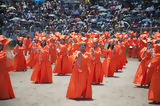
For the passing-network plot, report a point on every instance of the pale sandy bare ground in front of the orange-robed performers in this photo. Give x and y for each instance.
(115, 91)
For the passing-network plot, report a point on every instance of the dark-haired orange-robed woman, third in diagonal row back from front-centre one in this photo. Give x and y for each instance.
(108, 64)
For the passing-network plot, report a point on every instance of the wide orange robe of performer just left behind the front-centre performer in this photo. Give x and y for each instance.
(62, 64)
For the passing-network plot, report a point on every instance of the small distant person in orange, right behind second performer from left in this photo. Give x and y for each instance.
(27, 43)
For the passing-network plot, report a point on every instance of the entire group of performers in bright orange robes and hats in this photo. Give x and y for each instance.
(80, 56)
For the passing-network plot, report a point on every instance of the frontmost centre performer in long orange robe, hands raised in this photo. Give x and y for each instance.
(80, 83)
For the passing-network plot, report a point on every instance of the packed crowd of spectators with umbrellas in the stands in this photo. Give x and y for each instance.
(66, 17)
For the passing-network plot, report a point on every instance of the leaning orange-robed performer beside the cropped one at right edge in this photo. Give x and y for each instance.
(140, 77)
